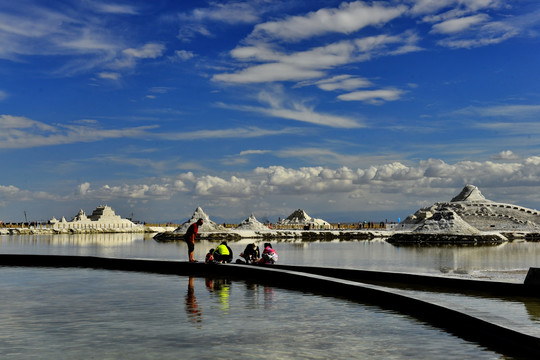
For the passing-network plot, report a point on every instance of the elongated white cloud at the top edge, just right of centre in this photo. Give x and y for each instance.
(348, 18)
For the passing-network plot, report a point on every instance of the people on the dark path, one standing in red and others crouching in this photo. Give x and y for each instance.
(224, 254)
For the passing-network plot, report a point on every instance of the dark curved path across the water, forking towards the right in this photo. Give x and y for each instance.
(492, 331)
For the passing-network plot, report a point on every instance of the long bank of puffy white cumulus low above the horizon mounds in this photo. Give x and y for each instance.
(390, 186)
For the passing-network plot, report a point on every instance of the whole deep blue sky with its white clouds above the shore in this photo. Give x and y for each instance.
(350, 110)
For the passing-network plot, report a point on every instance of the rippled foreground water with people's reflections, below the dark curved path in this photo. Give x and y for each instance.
(94, 314)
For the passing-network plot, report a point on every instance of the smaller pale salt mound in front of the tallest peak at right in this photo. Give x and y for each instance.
(446, 222)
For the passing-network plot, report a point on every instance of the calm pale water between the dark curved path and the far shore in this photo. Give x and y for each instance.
(507, 262)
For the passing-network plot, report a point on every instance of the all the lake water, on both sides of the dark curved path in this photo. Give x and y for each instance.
(81, 313)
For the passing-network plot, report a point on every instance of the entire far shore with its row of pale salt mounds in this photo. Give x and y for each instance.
(468, 219)
